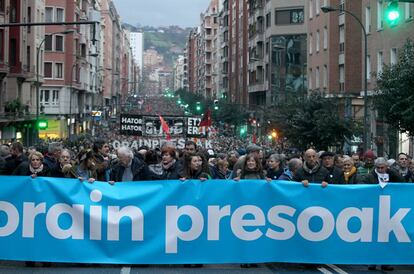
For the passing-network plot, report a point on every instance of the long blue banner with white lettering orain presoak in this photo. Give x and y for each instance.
(217, 221)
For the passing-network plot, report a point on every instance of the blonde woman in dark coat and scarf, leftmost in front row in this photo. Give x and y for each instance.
(34, 167)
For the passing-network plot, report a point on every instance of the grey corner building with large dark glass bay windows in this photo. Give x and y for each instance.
(277, 50)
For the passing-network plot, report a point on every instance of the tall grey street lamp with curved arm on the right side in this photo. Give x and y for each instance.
(327, 9)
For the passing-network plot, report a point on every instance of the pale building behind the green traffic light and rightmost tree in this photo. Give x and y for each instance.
(384, 43)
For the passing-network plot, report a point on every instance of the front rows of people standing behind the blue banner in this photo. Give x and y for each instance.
(97, 161)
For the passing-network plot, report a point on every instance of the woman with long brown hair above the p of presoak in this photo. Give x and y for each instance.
(195, 167)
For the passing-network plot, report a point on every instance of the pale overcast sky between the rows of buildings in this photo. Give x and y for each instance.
(184, 13)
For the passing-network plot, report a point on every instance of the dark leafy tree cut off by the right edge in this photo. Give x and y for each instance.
(394, 95)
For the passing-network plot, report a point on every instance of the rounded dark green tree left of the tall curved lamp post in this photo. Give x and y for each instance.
(312, 121)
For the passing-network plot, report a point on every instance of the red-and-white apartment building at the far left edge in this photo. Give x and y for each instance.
(17, 69)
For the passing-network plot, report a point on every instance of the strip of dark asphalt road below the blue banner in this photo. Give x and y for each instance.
(19, 267)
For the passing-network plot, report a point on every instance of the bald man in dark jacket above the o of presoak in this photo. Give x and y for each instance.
(312, 171)
